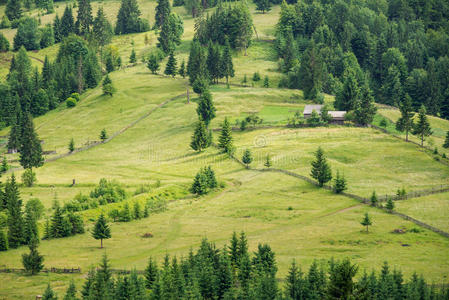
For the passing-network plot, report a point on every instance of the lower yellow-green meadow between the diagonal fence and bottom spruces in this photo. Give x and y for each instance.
(298, 220)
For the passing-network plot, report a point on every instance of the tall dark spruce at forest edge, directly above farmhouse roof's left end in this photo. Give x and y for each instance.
(310, 72)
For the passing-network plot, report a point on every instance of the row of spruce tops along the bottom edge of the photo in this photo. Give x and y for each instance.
(234, 273)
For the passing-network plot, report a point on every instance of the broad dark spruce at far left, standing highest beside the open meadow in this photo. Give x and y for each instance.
(30, 147)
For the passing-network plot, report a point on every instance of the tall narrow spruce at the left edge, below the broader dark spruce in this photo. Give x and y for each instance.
(15, 216)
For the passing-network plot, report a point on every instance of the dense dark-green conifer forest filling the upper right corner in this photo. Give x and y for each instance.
(396, 49)
